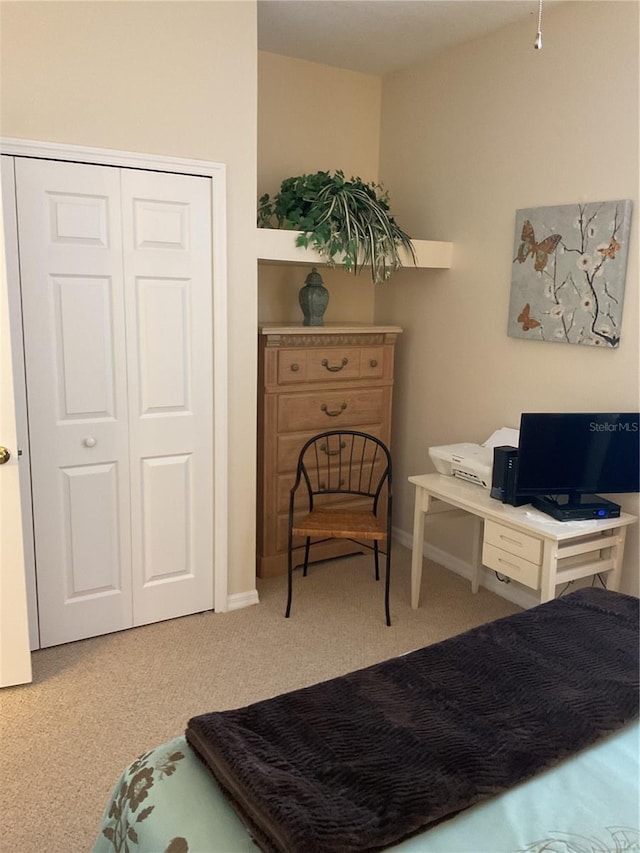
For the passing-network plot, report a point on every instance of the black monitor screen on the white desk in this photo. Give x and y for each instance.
(578, 453)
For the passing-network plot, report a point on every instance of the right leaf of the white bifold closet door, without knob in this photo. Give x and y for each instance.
(167, 265)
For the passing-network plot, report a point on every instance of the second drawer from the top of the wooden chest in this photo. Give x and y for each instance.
(320, 410)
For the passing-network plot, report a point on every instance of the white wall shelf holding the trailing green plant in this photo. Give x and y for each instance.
(279, 246)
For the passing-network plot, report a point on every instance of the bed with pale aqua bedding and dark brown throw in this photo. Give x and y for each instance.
(520, 735)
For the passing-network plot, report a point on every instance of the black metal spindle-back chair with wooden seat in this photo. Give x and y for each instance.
(345, 477)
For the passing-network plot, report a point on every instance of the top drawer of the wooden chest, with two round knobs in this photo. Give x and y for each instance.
(329, 364)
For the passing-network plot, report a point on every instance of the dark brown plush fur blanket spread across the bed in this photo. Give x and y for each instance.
(361, 761)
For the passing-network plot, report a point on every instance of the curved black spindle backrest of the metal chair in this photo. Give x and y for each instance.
(345, 462)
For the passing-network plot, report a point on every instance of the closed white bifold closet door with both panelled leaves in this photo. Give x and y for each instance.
(115, 269)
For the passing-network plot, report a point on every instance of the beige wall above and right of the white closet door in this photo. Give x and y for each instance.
(172, 78)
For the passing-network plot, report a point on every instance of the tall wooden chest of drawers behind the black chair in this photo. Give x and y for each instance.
(311, 380)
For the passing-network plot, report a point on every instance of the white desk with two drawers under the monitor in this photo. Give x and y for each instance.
(521, 543)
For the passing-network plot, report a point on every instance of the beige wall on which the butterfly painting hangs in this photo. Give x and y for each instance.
(486, 129)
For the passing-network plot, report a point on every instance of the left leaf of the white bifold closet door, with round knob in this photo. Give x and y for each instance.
(69, 223)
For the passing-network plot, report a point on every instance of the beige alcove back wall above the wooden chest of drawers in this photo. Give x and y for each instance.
(314, 118)
